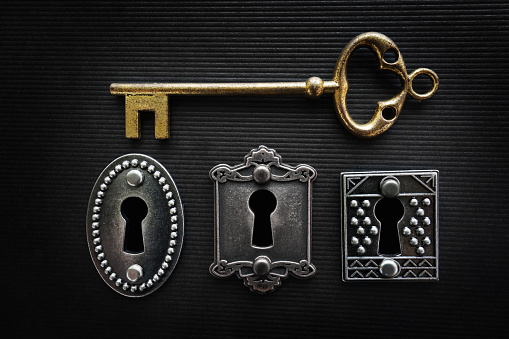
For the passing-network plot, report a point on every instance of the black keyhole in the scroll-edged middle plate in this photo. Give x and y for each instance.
(262, 203)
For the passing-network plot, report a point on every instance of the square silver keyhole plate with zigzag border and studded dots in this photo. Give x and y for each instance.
(390, 225)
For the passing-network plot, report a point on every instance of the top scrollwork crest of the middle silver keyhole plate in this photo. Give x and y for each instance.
(262, 156)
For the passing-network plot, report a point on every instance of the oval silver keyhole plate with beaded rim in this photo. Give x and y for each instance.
(135, 225)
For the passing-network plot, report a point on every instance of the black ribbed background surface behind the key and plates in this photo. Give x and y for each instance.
(60, 127)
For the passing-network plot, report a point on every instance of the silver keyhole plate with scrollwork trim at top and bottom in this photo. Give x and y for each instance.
(262, 220)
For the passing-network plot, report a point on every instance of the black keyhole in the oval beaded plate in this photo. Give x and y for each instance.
(134, 210)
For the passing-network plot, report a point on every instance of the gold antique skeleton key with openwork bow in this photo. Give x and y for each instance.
(154, 97)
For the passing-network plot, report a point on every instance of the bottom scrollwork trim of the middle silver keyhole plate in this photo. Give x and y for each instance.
(263, 283)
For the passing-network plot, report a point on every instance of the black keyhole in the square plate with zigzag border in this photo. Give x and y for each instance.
(389, 212)
